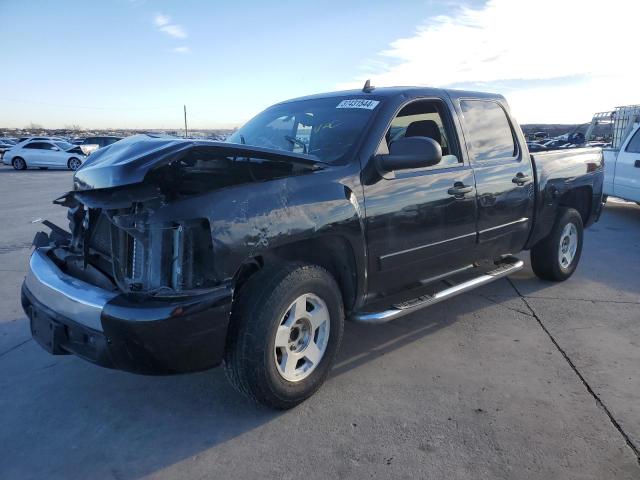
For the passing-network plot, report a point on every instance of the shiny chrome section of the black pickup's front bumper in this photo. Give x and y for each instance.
(67, 296)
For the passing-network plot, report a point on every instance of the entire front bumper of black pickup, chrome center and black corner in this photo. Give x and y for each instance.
(154, 336)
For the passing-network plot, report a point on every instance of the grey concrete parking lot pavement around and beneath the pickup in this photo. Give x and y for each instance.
(520, 379)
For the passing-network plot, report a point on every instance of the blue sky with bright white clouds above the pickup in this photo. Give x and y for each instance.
(134, 63)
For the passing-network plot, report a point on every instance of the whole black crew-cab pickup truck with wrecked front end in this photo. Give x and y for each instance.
(364, 205)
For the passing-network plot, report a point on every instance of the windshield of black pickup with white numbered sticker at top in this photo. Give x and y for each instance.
(326, 128)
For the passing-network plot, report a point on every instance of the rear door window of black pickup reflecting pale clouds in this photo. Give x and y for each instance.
(490, 134)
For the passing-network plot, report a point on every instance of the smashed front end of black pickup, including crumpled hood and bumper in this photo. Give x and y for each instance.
(132, 284)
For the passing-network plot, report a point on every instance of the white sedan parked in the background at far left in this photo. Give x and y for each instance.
(44, 154)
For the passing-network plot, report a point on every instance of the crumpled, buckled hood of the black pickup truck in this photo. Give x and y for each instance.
(128, 161)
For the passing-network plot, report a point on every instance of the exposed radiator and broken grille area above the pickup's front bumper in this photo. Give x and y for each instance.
(122, 249)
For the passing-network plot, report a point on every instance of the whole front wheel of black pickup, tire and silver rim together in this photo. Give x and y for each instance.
(285, 331)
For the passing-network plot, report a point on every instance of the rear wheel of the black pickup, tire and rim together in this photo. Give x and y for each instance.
(556, 257)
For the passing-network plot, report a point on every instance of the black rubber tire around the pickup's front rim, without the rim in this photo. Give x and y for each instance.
(260, 306)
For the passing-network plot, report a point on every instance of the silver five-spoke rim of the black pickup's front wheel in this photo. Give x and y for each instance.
(302, 337)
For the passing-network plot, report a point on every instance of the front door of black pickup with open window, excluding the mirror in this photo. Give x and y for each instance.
(420, 222)
